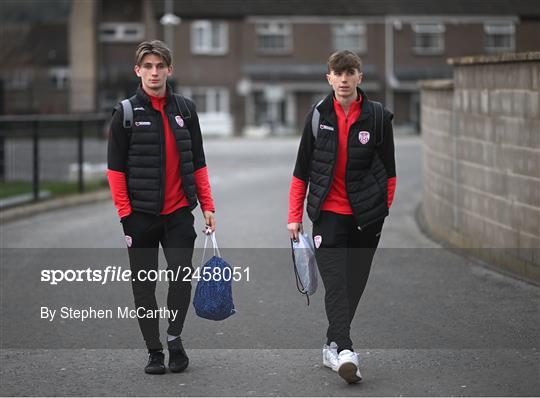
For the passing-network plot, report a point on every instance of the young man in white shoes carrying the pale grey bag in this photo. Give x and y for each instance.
(346, 157)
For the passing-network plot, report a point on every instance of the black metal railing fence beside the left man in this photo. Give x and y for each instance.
(54, 147)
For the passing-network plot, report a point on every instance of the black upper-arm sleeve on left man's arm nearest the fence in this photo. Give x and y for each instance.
(117, 147)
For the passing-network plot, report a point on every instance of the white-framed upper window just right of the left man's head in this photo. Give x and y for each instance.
(209, 37)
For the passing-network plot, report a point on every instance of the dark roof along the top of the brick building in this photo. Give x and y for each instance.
(242, 8)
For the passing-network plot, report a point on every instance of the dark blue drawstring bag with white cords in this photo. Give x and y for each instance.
(213, 295)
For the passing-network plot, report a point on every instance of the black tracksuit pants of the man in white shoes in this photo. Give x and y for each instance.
(344, 259)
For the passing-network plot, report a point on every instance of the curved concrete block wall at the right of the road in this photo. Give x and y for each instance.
(481, 159)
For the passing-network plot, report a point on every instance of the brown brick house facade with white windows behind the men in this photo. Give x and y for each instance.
(256, 67)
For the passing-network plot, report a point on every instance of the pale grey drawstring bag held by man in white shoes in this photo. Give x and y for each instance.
(305, 265)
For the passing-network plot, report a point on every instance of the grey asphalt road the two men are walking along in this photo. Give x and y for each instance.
(431, 323)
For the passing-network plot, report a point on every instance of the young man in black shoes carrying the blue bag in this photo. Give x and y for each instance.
(157, 172)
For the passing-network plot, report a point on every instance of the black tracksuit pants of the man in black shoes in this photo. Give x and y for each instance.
(177, 236)
